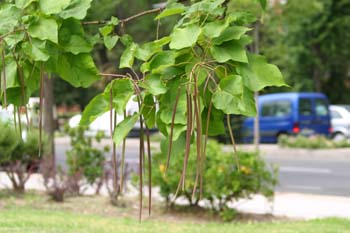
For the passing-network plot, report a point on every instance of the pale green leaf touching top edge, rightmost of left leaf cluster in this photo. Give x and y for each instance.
(77, 9)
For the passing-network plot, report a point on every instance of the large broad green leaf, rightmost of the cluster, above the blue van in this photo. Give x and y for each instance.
(259, 74)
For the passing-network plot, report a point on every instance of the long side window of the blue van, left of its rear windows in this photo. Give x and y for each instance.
(280, 108)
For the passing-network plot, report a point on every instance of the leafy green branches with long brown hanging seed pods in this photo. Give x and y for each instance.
(186, 84)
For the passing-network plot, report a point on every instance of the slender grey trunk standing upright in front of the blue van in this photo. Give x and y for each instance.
(256, 94)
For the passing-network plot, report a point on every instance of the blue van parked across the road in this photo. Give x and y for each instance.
(291, 114)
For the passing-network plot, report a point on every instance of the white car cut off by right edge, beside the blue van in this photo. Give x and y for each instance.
(340, 115)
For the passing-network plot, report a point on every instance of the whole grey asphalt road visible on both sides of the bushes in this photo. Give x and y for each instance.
(301, 174)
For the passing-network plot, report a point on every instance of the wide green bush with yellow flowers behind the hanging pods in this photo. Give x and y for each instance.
(223, 181)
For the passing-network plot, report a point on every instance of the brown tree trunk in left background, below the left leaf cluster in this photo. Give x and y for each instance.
(48, 116)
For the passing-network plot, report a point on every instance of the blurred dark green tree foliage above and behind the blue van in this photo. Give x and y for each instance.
(309, 41)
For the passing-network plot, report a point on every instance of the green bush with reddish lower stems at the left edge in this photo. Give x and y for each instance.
(19, 157)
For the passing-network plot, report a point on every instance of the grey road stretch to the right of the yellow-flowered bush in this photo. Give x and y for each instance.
(313, 175)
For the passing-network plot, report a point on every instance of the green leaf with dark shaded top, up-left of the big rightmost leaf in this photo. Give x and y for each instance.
(231, 50)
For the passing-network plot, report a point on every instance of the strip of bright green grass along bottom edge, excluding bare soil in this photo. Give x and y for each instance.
(27, 220)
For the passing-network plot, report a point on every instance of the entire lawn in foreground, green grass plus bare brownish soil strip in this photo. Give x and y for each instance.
(35, 214)
